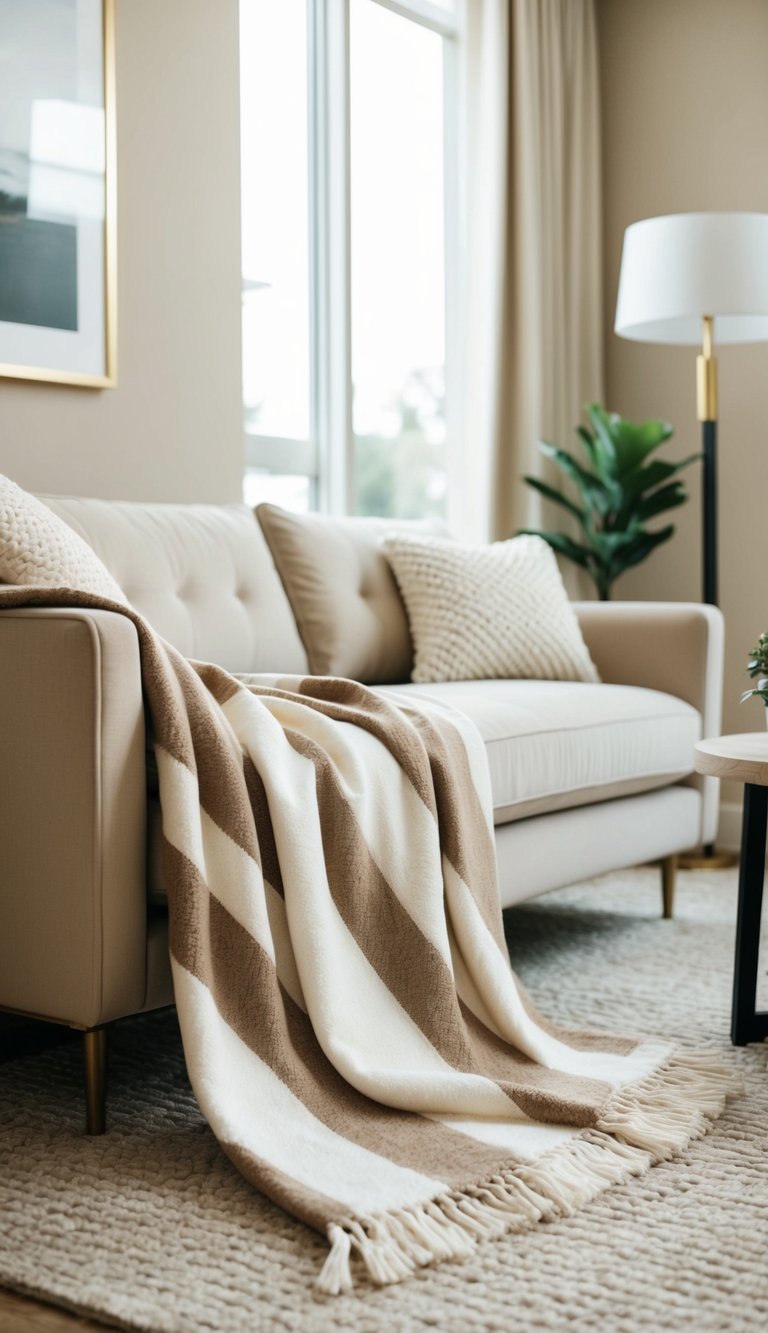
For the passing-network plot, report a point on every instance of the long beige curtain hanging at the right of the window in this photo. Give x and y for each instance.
(534, 246)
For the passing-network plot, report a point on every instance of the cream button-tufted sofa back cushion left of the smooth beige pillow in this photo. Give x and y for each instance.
(202, 575)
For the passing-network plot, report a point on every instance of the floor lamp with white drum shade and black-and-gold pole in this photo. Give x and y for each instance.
(698, 279)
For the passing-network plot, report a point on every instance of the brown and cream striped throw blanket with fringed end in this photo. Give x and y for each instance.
(353, 1028)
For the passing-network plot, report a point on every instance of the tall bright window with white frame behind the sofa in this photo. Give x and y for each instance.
(350, 170)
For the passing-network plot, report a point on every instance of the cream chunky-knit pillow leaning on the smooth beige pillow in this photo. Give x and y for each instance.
(489, 613)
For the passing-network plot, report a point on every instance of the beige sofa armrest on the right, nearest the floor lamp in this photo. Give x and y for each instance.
(673, 647)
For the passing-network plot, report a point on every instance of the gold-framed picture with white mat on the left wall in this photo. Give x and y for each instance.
(58, 215)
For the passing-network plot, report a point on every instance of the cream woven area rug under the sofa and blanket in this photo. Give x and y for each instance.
(153, 1228)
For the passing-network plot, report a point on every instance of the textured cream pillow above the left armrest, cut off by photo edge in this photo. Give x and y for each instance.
(38, 549)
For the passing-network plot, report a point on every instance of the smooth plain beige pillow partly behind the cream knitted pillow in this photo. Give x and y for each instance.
(343, 594)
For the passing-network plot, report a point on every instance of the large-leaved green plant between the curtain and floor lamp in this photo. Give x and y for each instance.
(619, 490)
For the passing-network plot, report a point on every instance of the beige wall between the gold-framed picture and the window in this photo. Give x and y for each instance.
(173, 429)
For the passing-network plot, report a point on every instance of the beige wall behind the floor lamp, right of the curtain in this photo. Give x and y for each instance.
(686, 129)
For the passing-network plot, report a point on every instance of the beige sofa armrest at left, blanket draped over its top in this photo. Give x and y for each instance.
(73, 815)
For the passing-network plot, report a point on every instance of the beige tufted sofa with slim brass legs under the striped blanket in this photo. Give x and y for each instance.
(586, 778)
